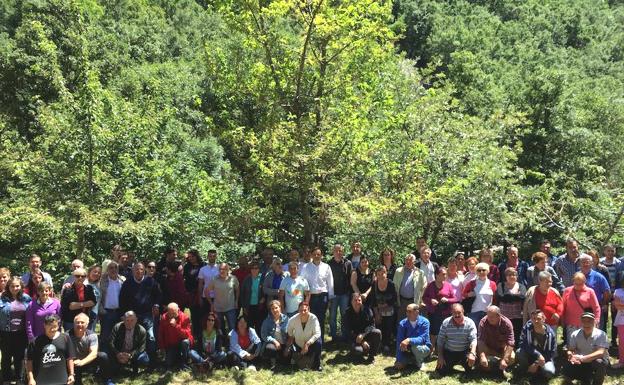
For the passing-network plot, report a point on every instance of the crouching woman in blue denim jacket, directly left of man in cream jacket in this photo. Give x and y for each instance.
(274, 334)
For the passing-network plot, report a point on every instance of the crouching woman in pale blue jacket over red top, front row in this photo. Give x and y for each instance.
(245, 345)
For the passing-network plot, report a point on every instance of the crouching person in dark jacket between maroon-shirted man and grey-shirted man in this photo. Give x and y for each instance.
(538, 345)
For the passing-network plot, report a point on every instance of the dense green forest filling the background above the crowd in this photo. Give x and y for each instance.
(238, 123)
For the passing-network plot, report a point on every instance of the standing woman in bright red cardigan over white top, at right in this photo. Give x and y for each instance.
(545, 298)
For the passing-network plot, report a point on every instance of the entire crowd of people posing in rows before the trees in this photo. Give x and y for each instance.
(185, 312)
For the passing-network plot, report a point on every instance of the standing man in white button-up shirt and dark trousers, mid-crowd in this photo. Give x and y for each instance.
(321, 282)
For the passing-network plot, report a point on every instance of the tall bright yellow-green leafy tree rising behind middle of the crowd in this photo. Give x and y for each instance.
(297, 93)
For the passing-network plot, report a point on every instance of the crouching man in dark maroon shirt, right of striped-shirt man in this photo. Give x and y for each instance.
(495, 343)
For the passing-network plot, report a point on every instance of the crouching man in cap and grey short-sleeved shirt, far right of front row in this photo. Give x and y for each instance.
(587, 354)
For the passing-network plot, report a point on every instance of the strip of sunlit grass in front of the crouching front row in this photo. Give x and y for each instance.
(338, 368)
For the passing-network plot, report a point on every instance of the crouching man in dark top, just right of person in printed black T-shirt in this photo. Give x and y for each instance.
(87, 358)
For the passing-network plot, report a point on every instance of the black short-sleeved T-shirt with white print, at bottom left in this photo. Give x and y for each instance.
(49, 358)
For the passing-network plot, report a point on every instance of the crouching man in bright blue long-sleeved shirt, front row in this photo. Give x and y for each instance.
(413, 342)
